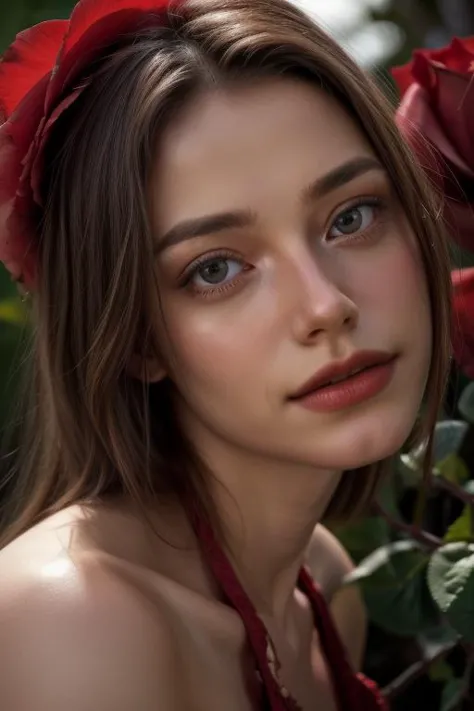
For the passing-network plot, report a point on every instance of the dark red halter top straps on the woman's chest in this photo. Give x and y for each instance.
(353, 692)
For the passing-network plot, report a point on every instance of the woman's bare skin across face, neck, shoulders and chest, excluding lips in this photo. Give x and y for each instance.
(96, 615)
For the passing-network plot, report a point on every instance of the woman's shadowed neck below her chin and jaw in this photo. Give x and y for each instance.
(268, 511)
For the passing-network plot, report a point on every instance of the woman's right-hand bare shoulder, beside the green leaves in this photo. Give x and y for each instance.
(329, 563)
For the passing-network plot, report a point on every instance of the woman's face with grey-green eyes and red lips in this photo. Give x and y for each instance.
(282, 248)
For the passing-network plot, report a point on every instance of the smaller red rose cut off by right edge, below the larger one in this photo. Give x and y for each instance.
(463, 342)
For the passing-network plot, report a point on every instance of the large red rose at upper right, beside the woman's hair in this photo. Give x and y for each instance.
(437, 89)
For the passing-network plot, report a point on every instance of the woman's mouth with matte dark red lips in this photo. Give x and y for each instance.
(360, 367)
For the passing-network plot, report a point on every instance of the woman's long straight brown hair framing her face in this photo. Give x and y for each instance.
(92, 431)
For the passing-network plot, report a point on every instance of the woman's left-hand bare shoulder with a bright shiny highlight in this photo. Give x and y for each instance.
(74, 635)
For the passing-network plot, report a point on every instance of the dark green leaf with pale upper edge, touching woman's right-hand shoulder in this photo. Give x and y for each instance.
(393, 583)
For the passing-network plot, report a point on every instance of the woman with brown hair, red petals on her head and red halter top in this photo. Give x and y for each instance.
(241, 299)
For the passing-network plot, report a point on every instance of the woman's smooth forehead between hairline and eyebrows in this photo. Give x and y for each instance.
(249, 146)
